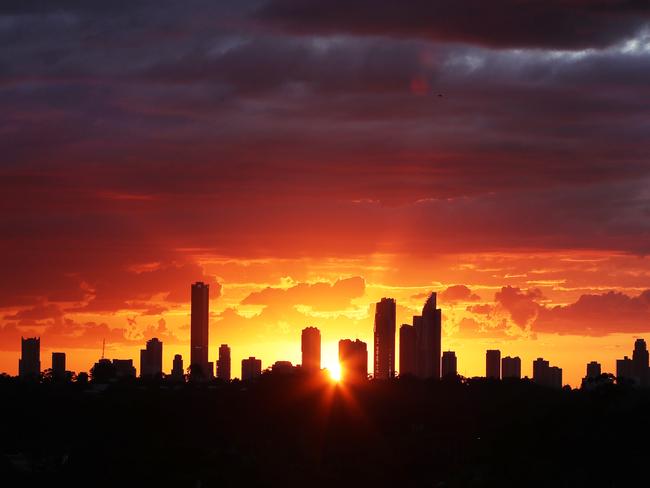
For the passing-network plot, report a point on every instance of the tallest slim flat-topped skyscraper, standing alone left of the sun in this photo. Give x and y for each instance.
(199, 329)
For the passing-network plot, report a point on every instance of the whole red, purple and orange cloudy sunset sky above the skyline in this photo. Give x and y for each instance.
(307, 158)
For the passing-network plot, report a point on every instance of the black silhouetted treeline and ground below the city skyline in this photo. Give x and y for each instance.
(297, 431)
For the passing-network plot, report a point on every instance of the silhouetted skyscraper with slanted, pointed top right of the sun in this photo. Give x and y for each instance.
(428, 327)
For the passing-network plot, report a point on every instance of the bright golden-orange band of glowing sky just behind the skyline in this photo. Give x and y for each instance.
(528, 306)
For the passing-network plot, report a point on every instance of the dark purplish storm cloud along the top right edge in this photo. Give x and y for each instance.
(572, 24)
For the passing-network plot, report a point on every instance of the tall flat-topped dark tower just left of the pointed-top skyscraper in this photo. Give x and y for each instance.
(384, 364)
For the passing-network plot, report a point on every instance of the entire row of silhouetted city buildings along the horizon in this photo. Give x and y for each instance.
(420, 354)
